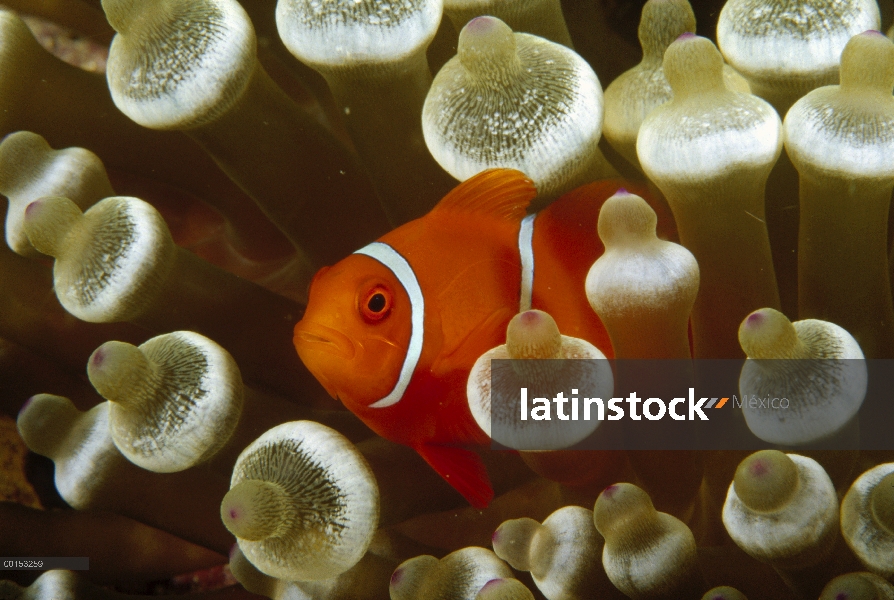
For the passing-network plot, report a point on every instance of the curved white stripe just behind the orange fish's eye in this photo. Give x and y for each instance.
(398, 265)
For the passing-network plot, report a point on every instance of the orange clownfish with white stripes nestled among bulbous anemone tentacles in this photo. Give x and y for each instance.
(394, 329)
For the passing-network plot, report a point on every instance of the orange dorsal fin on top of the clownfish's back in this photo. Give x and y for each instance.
(502, 194)
